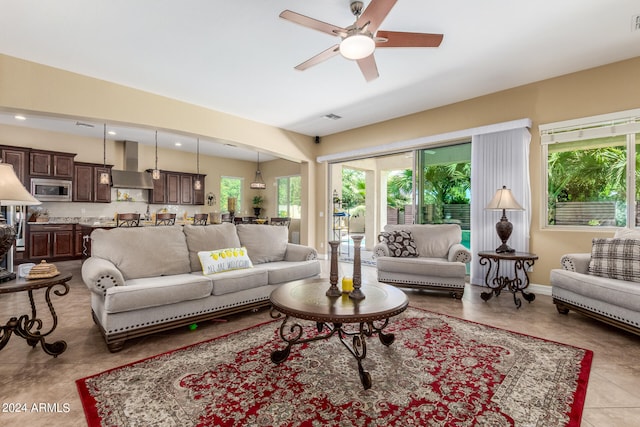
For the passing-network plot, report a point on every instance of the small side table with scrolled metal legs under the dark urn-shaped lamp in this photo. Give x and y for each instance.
(522, 261)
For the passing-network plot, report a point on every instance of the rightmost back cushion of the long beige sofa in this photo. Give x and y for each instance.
(264, 243)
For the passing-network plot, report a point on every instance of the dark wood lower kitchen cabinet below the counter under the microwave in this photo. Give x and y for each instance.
(51, 241)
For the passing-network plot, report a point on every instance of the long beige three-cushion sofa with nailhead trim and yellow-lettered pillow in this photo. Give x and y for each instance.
(148, 279)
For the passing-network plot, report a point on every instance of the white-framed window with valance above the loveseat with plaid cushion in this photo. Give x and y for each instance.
(592, 167)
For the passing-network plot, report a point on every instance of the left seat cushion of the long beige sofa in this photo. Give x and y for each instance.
(156, 291)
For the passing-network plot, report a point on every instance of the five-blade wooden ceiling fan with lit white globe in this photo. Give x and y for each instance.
(360, 39)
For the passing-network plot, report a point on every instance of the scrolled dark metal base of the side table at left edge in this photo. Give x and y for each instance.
(29, 327)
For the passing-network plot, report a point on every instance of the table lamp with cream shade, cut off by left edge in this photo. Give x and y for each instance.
(12, 193)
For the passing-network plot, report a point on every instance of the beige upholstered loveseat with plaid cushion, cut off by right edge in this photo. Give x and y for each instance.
(603, 284)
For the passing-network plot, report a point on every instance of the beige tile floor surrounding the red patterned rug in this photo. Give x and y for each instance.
(29, 376)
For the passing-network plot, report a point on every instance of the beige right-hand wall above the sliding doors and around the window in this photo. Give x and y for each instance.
(596, 91)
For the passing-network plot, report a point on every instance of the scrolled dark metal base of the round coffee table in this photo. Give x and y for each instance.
(353, 339)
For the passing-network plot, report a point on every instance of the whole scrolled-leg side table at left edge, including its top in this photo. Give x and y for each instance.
(29, 326)
